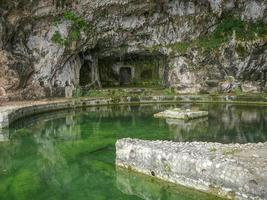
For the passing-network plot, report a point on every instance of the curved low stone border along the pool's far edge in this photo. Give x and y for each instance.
(10, 113)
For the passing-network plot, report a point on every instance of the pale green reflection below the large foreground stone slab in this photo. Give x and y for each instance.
(149, 188)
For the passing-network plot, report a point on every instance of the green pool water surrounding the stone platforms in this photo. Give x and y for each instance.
(71, 154)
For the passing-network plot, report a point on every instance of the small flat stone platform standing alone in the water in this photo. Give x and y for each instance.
(178, 113)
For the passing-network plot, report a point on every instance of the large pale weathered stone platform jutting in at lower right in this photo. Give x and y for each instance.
(233, 171)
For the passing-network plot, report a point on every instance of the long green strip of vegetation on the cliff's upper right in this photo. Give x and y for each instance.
(224, 31)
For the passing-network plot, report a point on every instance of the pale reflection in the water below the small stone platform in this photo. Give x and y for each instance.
(182, 130)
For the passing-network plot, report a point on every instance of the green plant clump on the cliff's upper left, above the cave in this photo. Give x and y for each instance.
(78, 25)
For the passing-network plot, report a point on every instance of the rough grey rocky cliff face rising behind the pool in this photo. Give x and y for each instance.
(200, 46)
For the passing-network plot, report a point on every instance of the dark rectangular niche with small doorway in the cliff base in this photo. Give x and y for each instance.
(131, 70)
